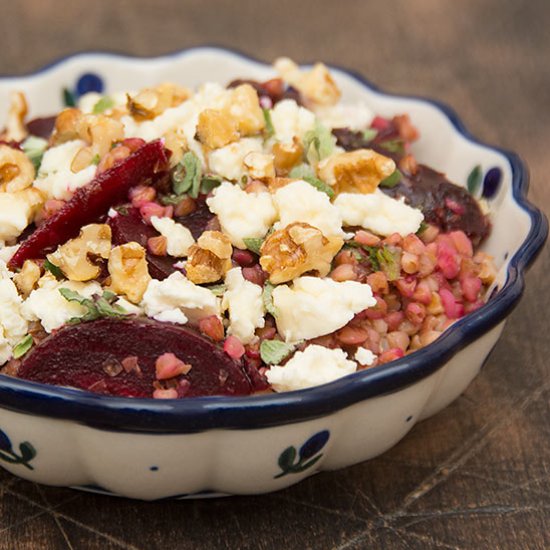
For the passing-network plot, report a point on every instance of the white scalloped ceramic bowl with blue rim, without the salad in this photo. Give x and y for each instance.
(151, 449)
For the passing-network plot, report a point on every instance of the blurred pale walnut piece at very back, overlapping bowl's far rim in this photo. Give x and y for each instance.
(317, 84)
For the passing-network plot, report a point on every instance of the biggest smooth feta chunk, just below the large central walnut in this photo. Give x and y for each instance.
(313, 306)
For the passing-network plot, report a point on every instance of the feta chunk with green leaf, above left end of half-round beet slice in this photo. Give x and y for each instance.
(48, 305)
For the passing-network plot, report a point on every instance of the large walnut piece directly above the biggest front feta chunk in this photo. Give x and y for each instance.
(296, 249)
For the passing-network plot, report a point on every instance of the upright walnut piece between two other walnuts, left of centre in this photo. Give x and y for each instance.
(128, 270)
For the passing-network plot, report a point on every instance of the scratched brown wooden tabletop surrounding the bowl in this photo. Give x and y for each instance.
(475, 476)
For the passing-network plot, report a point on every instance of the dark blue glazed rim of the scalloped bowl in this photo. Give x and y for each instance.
(254, 412)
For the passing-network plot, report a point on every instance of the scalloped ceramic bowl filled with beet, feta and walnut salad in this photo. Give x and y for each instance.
(262, 258)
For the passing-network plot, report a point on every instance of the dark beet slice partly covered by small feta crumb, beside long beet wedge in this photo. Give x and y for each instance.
(128, 226)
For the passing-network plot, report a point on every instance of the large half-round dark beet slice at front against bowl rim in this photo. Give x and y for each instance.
(81, 356)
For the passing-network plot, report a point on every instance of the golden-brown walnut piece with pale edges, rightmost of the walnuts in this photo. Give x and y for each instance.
(357, 171)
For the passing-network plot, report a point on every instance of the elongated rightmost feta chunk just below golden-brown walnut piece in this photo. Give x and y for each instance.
(379, 213)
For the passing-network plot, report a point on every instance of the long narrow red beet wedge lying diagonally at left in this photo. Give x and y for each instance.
(93, 200)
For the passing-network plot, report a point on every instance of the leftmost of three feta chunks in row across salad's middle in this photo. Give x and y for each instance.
(242, 215)
